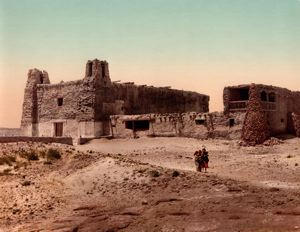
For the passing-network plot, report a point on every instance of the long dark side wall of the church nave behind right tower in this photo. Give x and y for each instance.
(146, 99)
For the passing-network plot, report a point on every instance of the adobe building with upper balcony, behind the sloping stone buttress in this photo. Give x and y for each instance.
(281, 106)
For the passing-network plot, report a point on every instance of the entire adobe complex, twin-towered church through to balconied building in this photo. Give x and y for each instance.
(95, 106)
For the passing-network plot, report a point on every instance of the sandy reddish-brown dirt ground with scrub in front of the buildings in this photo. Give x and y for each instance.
(150, 184)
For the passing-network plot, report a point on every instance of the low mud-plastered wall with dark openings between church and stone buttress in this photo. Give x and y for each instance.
(216, 125)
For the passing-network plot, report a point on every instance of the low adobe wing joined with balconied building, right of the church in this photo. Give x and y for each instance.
(279, 114)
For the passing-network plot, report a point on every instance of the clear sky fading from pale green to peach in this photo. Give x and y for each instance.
(197, 45)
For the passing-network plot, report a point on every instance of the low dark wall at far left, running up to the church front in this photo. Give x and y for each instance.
(14, 139)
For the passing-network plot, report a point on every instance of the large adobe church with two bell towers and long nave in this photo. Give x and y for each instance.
(82, 108)
